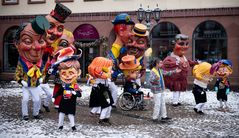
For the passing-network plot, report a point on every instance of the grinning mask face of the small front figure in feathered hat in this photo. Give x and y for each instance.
(69, 75)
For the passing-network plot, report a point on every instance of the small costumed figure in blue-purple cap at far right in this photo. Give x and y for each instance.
(222, 85)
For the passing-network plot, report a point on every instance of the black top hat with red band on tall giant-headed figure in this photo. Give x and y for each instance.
(60, 13)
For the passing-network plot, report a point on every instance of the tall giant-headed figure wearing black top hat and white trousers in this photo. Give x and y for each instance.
(57, 19)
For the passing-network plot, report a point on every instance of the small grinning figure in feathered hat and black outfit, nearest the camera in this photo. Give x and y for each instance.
(69, 70)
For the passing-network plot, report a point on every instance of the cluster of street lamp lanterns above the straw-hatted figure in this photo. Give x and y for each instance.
(146, 14)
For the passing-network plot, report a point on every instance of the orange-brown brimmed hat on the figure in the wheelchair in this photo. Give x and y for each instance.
(129, 62)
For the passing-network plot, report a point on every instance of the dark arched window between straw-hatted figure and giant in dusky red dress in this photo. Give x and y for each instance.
(161, 38)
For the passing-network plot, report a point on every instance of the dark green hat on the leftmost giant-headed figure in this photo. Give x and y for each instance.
(40, 24)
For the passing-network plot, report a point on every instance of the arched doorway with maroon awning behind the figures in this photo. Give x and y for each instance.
(87, 33)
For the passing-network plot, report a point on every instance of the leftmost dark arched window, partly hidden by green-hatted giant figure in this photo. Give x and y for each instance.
(10, 54)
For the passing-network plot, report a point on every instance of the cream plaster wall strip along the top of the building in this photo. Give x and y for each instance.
(79, 6)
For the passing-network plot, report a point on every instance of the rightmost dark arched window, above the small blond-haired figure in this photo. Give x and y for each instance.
(209, 42)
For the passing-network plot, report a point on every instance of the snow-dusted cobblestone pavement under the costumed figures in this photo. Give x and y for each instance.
(185, 122)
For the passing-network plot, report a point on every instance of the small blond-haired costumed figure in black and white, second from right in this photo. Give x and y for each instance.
(203, 75)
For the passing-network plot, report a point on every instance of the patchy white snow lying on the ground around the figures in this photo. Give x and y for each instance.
(186, 127)
